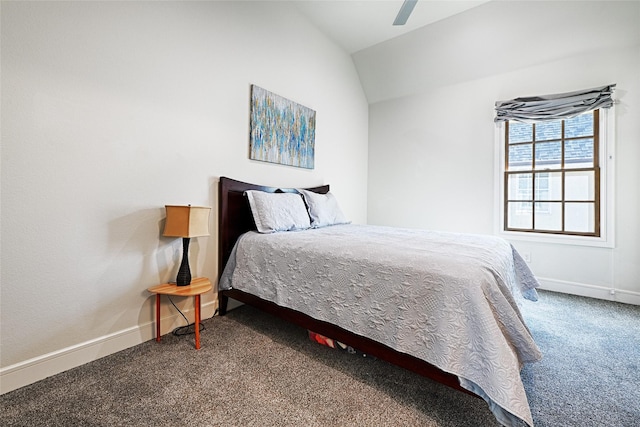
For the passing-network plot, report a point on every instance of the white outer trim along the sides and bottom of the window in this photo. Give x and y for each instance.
(607, 202)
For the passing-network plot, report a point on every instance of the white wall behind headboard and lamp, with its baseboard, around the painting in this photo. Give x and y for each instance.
(110, 110)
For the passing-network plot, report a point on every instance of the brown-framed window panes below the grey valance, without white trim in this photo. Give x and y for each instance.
(552, 176)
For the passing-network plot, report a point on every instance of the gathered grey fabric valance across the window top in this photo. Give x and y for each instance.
(554, 107)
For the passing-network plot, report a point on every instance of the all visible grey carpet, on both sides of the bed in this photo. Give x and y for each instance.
(255, 370)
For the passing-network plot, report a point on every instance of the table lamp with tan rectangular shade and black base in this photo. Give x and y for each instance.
(186, 222)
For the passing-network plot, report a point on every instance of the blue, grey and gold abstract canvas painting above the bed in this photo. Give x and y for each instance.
(282, 131)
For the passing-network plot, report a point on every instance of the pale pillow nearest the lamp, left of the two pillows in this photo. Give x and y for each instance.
(278, 211)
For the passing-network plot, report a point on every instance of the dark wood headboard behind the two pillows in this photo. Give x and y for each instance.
(235, 216)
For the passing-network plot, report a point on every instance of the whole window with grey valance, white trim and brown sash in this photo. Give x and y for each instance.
(555, 174)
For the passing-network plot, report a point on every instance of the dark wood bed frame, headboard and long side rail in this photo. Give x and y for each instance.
(234, 220)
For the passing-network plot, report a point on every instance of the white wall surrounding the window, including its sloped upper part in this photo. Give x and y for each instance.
(431, 131)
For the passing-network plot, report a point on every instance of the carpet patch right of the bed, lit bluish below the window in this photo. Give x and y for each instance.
(590, 372)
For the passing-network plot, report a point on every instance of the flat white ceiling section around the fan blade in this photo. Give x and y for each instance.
(357, 24)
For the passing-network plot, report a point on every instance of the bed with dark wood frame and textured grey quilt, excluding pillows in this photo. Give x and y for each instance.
(470, 337)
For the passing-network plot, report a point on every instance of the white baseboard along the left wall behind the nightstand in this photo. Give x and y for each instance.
(30, 371)
